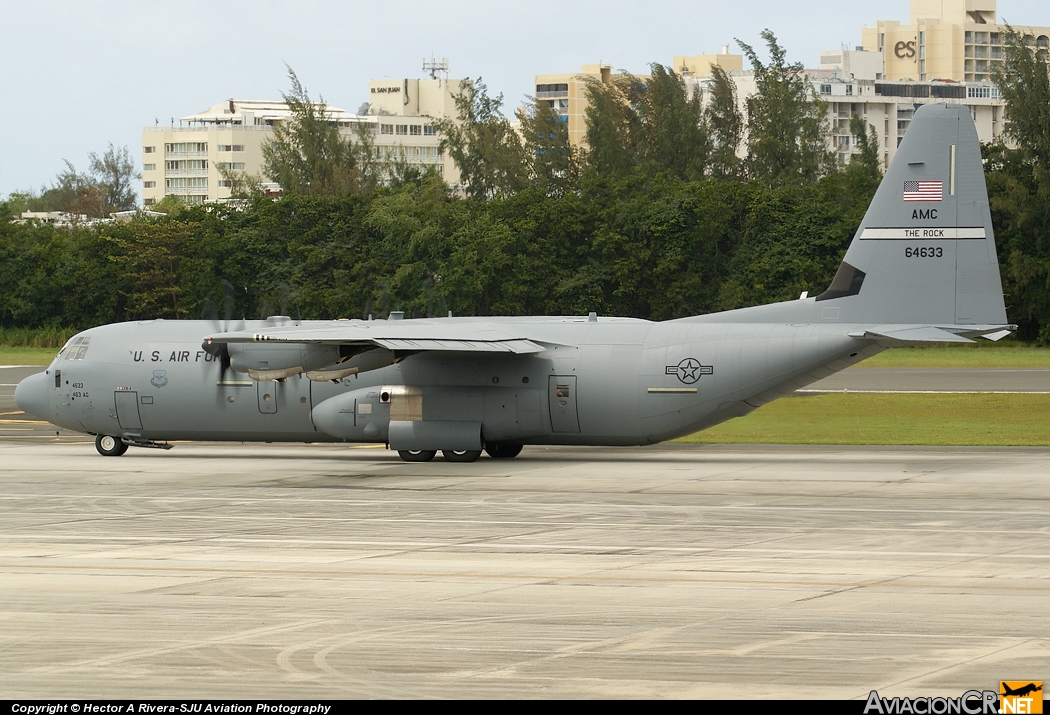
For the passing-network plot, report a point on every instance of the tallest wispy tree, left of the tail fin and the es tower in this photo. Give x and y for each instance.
(787, 128)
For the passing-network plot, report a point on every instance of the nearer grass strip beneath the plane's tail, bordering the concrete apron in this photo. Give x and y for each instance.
(983, 420)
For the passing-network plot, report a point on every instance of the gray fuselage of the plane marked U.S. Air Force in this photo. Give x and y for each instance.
(605, 382)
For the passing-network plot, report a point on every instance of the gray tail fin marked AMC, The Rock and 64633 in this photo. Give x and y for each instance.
(926, 253)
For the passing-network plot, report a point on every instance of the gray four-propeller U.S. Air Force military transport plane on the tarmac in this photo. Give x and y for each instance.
(921, 268)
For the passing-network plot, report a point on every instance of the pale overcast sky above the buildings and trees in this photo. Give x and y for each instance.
(77, 76)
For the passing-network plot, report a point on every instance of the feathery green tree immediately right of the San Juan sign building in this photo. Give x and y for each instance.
(485, 146)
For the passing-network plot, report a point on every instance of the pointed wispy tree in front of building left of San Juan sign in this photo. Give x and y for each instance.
(307, 154)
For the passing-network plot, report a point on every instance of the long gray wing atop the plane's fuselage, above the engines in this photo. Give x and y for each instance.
(408, 337)
